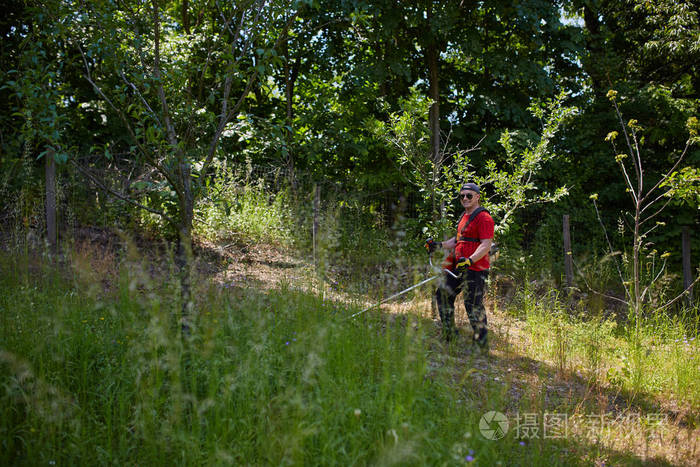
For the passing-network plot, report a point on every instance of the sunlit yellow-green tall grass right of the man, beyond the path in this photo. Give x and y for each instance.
(660, 361)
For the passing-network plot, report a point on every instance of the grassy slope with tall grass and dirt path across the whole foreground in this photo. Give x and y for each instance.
(97, 373)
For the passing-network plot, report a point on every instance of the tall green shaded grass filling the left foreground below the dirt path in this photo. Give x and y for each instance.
(277, 378)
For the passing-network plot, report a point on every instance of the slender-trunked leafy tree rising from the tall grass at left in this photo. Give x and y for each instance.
(175, 87)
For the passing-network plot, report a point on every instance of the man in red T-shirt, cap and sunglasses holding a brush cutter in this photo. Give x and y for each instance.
(470, 262)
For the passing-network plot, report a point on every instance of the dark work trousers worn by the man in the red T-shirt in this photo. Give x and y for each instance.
(473, 284)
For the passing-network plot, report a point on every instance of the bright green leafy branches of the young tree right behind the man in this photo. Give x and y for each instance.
(511, 186)
